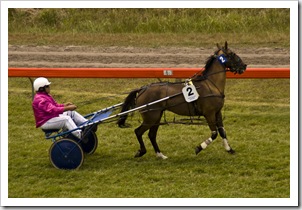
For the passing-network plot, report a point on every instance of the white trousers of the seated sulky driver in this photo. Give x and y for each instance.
(69, 120)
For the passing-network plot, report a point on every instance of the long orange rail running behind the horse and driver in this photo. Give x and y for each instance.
(139, 72)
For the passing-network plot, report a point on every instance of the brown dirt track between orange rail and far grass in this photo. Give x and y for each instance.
(79, 56)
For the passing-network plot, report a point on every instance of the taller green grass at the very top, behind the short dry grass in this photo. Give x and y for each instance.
(203, 20)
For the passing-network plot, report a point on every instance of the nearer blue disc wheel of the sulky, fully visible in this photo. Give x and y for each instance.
(66, 154)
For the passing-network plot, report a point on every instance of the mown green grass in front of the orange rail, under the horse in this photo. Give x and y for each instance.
(256, 117)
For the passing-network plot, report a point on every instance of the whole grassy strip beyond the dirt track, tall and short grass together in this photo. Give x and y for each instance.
(149, 27)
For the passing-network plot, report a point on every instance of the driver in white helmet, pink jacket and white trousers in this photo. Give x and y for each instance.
(51, 115)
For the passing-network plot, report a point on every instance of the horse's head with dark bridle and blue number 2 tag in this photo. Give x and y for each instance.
(230, 59)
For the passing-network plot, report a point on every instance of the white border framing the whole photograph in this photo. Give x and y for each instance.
(292, 201)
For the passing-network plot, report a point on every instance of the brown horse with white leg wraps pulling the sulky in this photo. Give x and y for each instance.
(209, 84)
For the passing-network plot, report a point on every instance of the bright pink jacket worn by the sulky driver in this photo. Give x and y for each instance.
(45, 108)
